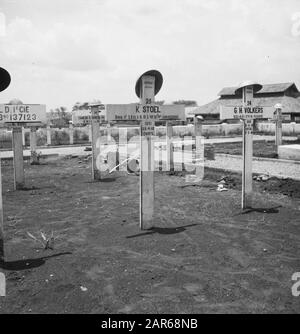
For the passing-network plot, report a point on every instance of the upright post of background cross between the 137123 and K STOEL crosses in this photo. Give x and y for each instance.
(95, 134)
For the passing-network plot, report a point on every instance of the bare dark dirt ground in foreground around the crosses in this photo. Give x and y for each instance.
(203, 256)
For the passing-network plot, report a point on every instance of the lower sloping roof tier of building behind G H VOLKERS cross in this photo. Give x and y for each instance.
(290, 105)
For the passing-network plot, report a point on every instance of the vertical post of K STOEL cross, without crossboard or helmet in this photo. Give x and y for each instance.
(147, 166)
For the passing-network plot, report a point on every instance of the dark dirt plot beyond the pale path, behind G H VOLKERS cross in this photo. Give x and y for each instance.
(261, 149)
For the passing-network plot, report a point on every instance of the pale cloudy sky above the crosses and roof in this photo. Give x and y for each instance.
(60, 52)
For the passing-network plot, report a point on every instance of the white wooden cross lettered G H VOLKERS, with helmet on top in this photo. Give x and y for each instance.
(247, 111)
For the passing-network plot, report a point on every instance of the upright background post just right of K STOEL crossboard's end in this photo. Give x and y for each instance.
(199, 156)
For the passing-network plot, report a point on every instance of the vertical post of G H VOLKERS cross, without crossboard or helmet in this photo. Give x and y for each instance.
(247, 150)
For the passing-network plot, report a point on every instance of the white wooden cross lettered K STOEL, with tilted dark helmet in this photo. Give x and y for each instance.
(146, 113)
